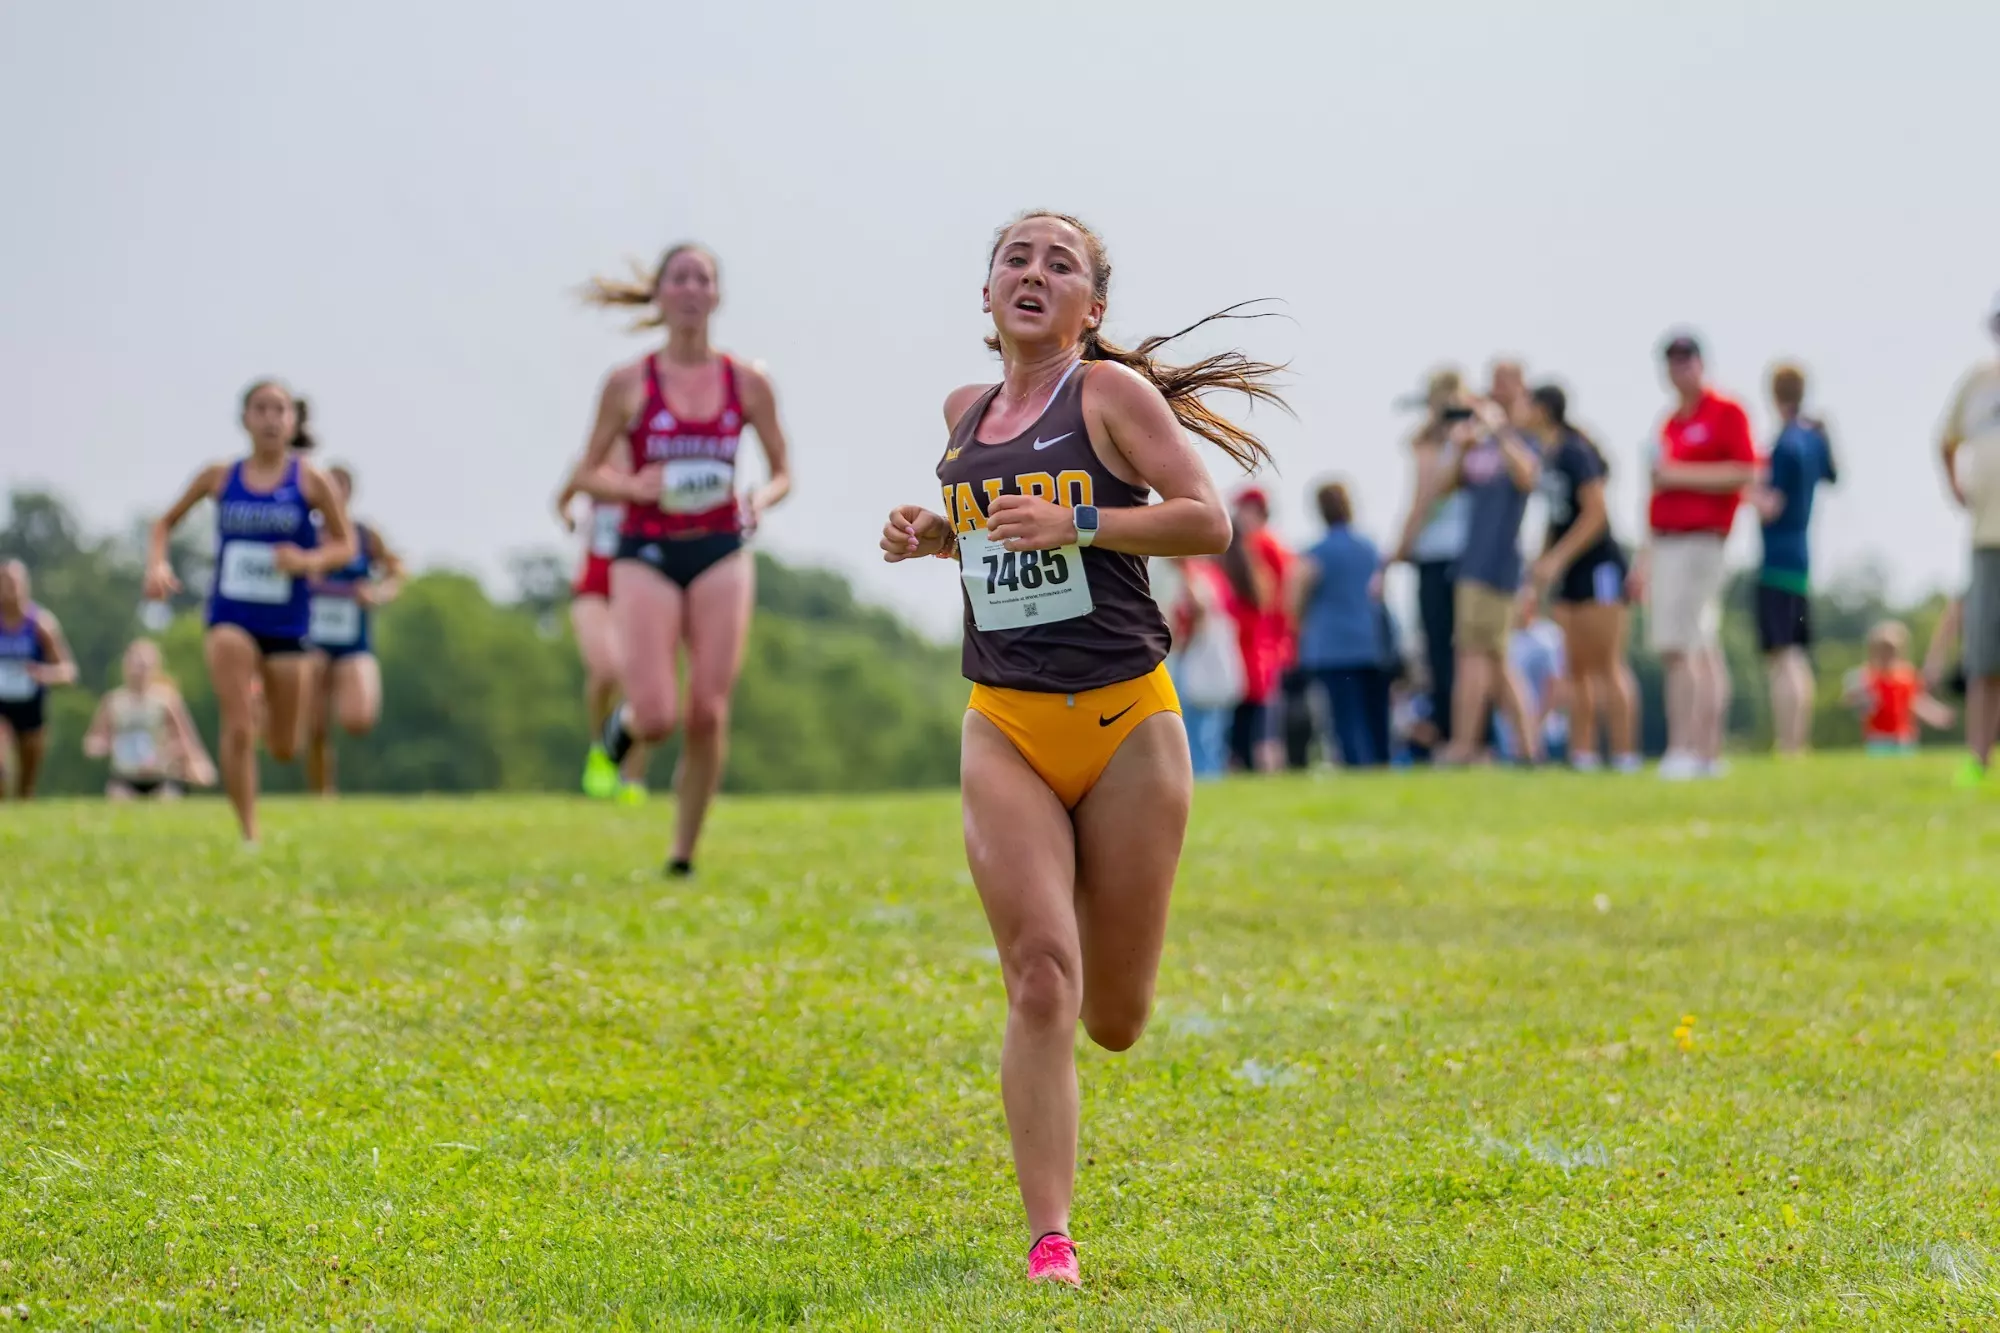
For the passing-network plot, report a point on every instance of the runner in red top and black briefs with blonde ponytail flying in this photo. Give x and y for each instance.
(681, 575)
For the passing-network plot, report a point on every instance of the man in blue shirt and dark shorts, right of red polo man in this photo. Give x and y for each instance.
(1801, 459)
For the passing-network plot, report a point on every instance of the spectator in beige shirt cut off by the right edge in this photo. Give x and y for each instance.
(1971, 453)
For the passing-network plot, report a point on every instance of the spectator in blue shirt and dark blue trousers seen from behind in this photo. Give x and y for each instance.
(1337, 601)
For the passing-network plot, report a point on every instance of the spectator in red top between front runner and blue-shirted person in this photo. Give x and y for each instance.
(1257, 565)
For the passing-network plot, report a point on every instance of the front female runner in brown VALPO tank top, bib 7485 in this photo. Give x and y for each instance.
(1075, 764)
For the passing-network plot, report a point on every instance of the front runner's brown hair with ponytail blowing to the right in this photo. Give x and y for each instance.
(1183, 387)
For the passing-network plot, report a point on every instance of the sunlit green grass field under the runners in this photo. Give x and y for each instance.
(1415, 1066)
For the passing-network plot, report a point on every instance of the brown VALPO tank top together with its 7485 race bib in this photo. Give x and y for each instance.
(1051, 621)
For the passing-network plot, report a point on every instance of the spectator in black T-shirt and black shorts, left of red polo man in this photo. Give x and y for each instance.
(1581, 577)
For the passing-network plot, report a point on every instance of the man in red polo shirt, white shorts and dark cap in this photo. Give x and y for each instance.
(1701, 471)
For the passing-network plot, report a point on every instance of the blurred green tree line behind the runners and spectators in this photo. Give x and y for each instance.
(835, 696)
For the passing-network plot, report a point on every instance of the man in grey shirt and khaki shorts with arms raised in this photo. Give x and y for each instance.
(1497, 467)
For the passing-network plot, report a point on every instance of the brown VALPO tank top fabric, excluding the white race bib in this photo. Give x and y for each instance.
(1125, 635)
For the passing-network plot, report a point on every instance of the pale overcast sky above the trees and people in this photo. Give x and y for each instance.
(391, 207)
